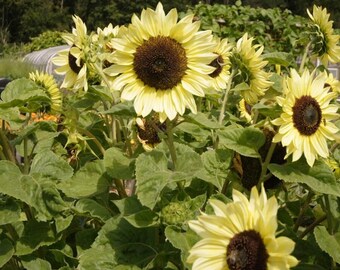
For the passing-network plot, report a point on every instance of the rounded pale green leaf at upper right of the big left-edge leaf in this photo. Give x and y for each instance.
(49, 164)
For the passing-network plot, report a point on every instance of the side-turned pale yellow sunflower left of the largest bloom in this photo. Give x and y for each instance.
(72, 61)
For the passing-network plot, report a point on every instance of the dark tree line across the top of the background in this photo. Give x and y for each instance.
(23, 19)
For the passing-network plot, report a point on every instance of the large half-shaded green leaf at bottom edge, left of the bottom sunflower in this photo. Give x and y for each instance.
(120, 245)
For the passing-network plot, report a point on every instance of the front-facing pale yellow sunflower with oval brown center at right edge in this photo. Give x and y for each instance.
(305, 122)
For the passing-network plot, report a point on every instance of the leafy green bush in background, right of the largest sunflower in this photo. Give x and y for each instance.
(277, 30)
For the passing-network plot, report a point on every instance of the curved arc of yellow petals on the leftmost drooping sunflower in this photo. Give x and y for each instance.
(48, 83)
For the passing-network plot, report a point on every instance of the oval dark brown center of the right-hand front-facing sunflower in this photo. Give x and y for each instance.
(307, 115)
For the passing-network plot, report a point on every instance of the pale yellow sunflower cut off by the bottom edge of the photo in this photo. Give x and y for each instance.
(241, 235)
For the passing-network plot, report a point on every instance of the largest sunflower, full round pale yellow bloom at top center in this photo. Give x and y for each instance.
(161, 63)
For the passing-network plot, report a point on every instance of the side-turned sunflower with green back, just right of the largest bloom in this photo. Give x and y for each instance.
(247, 59)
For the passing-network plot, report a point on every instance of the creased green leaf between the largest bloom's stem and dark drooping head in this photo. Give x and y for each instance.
(216, 166)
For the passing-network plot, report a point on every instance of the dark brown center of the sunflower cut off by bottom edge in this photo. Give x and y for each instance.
(246, 251)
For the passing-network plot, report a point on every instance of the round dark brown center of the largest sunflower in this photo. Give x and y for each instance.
(160, 62)
